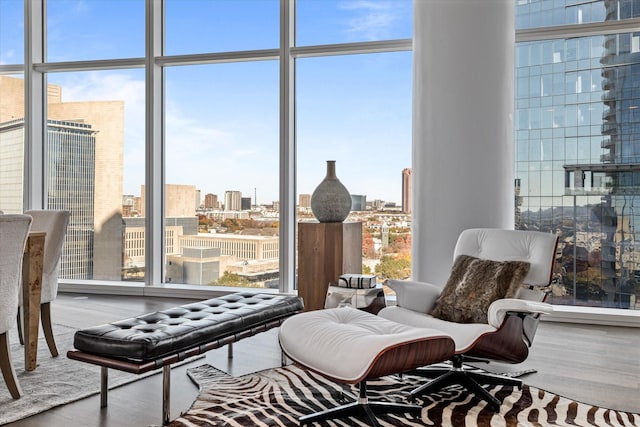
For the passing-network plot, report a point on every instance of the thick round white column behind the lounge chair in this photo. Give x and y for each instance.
(462, 126)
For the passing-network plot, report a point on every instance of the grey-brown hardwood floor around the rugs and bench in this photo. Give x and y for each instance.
(593, 364)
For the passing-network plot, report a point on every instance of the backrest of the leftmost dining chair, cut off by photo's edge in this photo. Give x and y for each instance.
(14, 230)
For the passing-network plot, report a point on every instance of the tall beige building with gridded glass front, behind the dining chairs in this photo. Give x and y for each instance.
(98, 129)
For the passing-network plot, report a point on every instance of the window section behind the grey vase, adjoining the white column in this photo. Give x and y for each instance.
(356, 110)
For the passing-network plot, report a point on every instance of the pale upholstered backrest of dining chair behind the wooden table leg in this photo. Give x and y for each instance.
(54, 223)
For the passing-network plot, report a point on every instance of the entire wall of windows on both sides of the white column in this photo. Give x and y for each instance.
(207, 126)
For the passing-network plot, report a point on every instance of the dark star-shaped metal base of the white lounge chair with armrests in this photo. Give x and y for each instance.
(471, 380)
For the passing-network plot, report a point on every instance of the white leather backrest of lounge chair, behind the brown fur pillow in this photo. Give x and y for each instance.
(535, 247)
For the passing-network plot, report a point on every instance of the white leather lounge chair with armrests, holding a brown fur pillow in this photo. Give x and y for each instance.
(512, 322)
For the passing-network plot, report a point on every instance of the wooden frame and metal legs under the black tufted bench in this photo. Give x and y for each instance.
(165, 362)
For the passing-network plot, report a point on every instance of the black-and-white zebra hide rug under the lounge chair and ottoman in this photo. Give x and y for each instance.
(277, 397)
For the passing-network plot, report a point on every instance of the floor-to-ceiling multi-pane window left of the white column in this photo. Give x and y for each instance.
(170, 126)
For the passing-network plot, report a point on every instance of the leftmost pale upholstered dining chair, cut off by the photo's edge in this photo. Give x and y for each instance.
(14, 230)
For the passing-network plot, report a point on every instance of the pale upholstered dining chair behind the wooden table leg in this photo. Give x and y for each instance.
(54, 223)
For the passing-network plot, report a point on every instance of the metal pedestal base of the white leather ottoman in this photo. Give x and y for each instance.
(362, 408)
